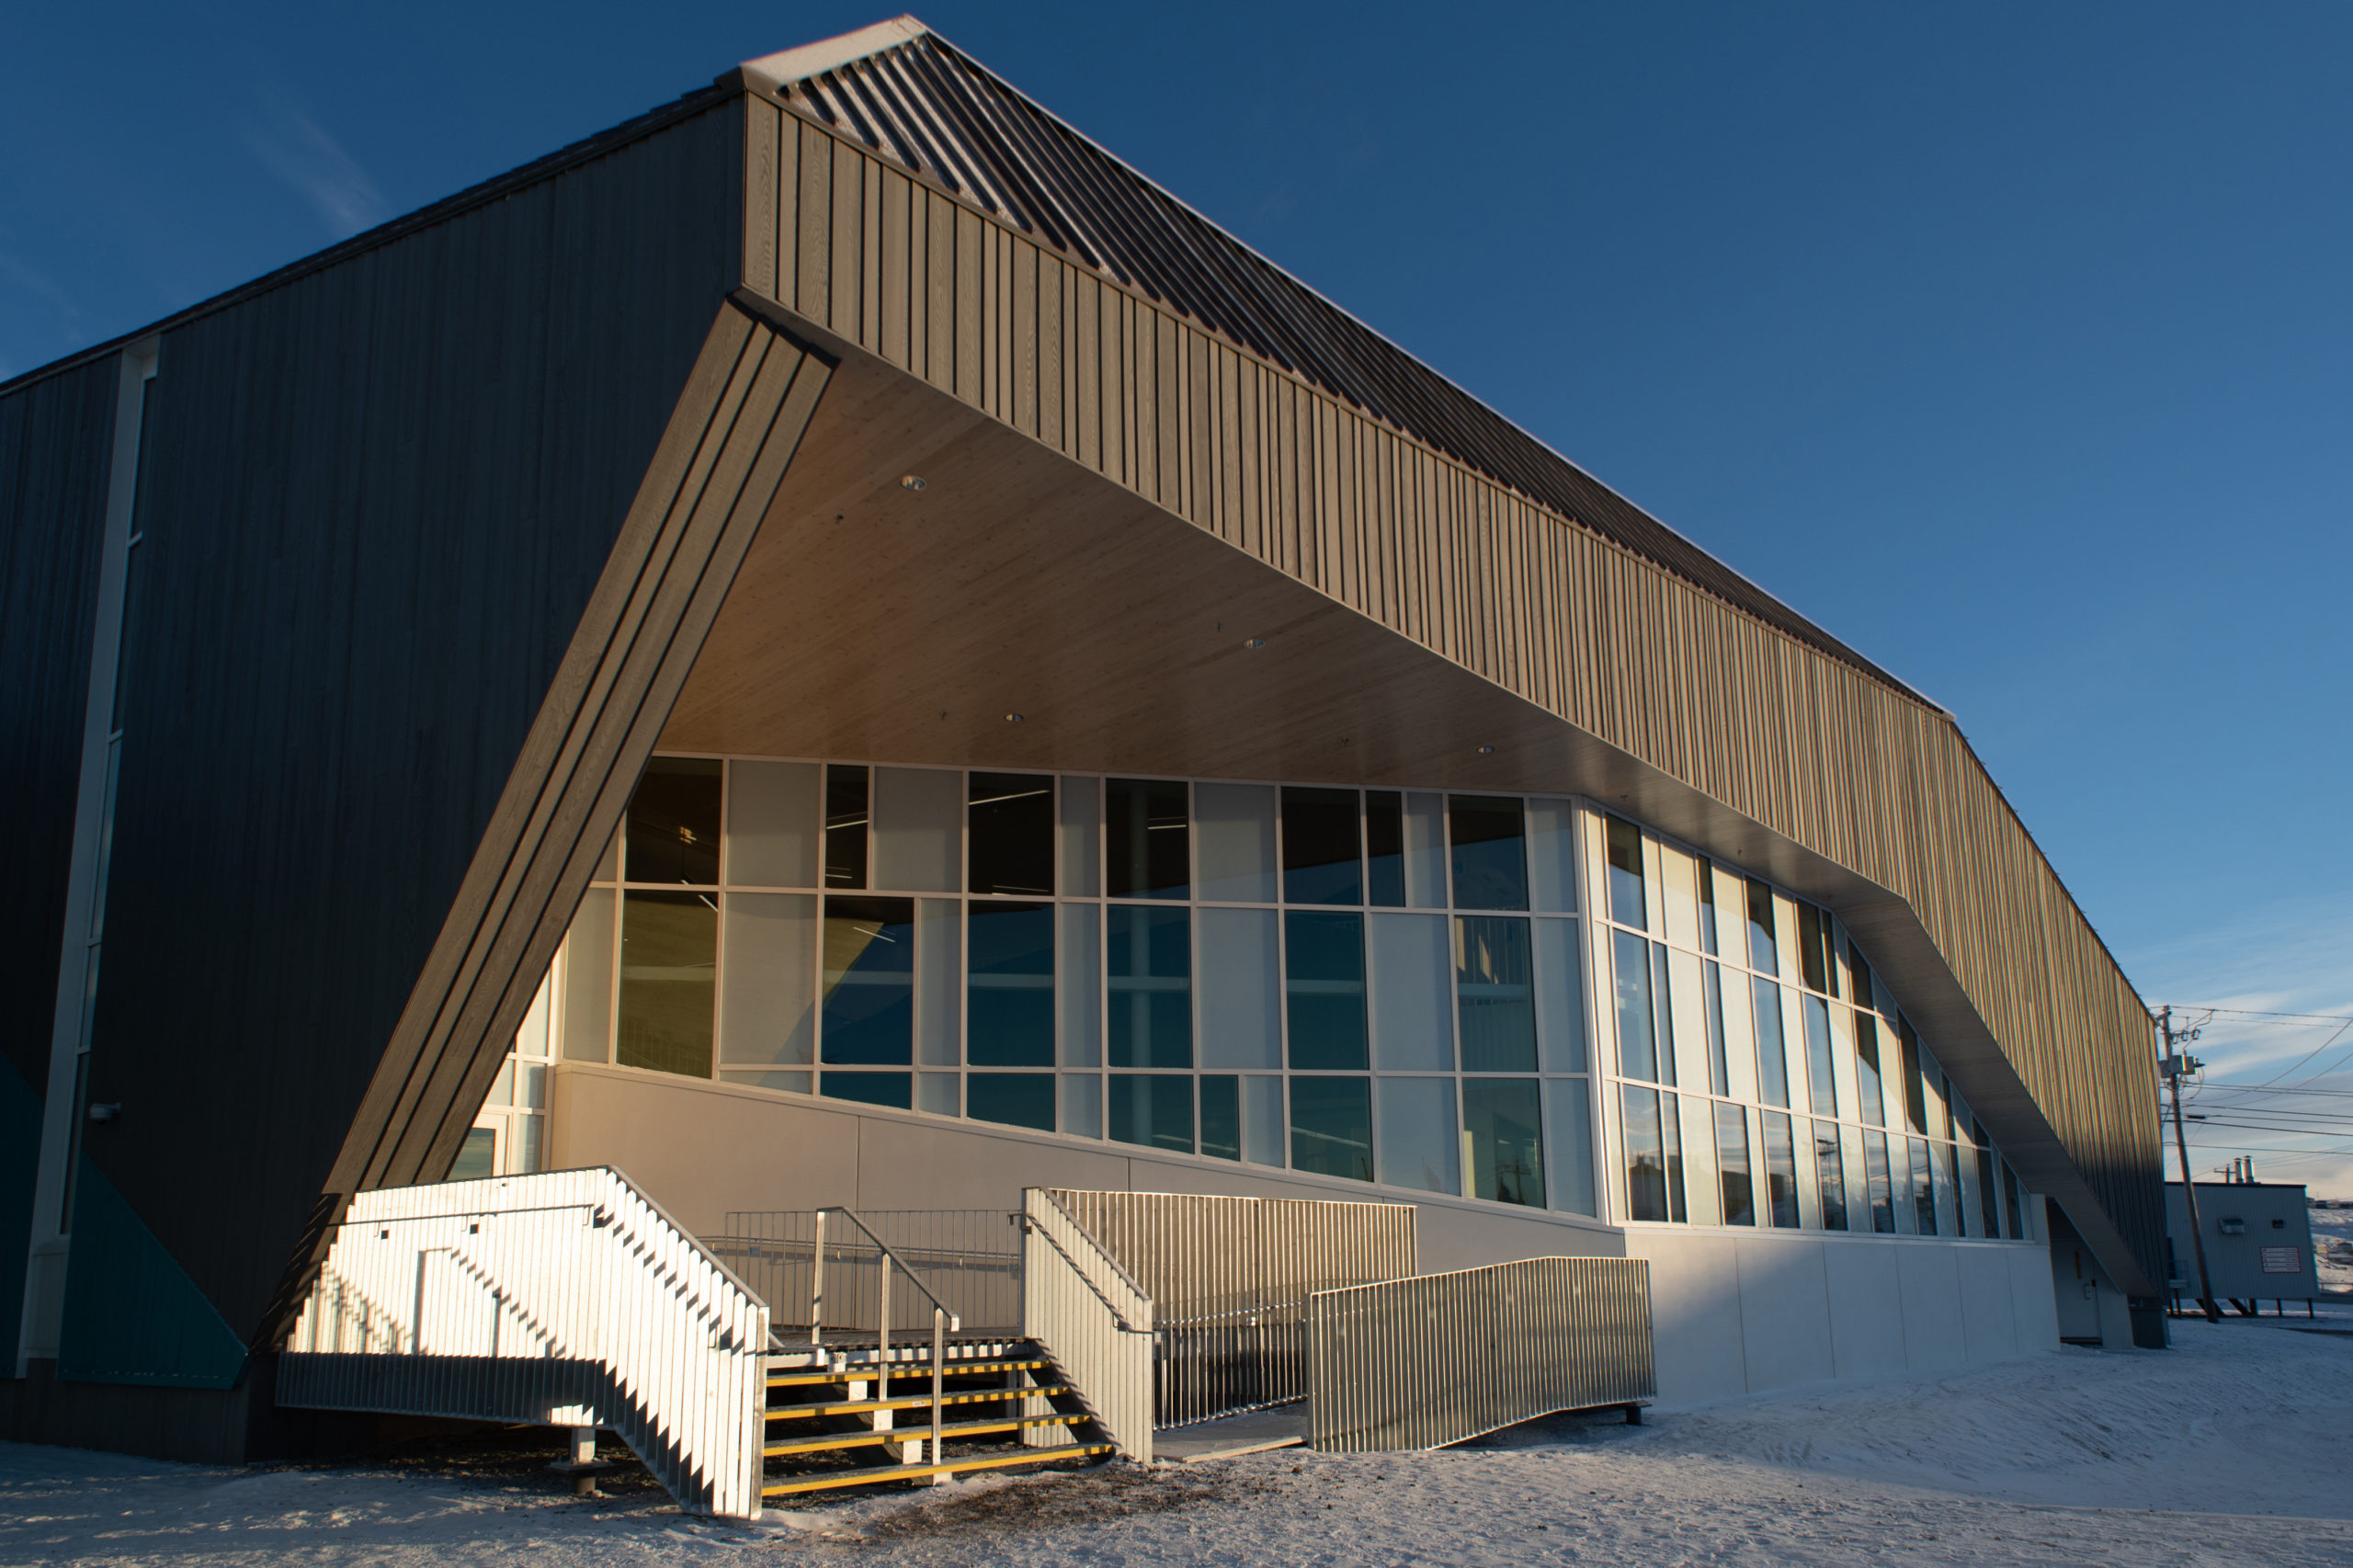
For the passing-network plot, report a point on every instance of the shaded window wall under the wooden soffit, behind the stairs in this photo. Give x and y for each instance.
(1357, 983)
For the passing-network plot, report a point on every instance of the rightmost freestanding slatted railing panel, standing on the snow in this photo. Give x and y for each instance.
(1446, 1357)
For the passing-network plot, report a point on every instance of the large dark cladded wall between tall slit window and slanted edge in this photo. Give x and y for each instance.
(382, 496)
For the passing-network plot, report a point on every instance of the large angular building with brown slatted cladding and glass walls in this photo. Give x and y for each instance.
(839, 646)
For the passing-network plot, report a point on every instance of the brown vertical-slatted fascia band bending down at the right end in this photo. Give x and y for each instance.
(1778, 729)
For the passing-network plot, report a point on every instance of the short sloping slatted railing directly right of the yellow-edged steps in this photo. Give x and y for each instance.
(1093, 1320)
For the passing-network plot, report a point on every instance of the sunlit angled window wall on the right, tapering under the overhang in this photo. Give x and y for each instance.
(1759, 1072)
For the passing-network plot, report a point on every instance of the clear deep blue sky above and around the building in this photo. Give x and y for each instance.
(2008, 343)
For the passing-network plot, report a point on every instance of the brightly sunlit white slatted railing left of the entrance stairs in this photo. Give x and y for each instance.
(561, 1301)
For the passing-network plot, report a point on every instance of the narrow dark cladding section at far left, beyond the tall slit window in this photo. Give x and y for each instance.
(58, 439)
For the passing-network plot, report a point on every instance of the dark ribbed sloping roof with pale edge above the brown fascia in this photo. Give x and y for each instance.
(804, 65)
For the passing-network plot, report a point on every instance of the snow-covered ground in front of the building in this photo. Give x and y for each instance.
(2229, 1449)
